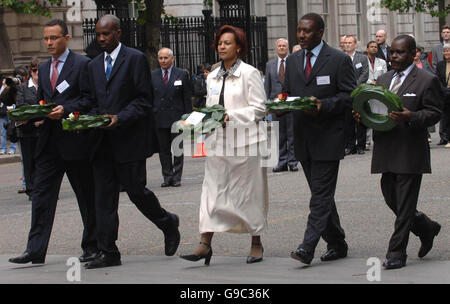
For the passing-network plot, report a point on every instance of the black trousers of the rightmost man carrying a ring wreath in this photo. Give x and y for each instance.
(401, 192)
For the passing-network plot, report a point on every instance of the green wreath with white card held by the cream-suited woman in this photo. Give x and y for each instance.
(213, 118)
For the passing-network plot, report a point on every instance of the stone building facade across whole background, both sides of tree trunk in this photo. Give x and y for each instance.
(355, 17)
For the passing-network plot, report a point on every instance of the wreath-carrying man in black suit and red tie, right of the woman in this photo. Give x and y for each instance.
(319, 135)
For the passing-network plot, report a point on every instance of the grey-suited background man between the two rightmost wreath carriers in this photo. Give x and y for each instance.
(356, 132)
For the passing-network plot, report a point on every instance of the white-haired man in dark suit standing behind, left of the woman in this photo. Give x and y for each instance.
(172, 94)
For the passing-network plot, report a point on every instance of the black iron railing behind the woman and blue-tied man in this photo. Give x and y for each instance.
(191, 39)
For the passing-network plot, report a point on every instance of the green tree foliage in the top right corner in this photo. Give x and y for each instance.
(435, 8)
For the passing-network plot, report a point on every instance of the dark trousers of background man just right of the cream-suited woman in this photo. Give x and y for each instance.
(286, 140)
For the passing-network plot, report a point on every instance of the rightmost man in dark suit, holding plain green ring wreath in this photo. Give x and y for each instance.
(402, 155)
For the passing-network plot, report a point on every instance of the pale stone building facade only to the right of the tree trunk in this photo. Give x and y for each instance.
(342, 17)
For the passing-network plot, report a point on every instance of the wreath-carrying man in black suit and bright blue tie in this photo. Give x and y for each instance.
(121, 90)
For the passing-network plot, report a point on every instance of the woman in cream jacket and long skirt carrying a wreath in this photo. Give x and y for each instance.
(235, 190)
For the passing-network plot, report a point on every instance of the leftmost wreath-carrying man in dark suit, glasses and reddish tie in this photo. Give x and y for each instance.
(62, 80)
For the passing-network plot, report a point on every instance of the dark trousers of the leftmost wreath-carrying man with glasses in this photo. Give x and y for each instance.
(49, 172)
